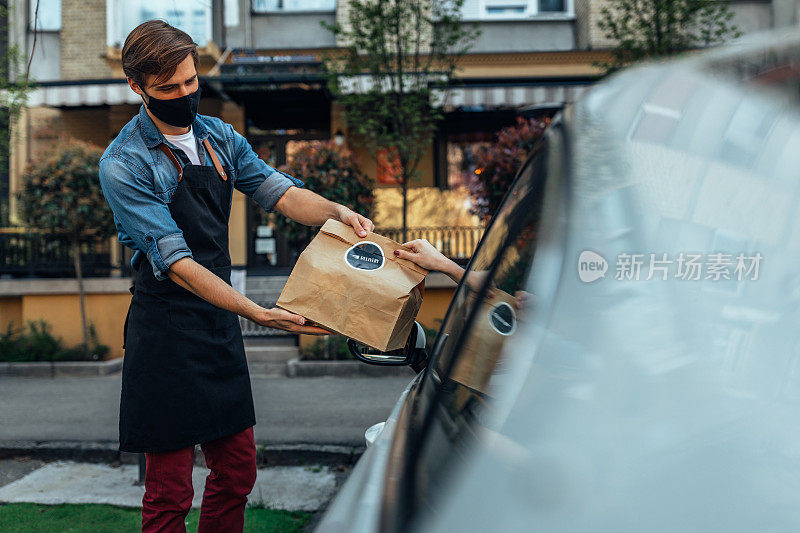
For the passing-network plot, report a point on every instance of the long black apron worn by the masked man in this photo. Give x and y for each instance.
(184, 375)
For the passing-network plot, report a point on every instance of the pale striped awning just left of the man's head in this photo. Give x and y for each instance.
(83, 94)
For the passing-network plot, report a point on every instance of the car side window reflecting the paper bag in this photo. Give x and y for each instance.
(487, 310)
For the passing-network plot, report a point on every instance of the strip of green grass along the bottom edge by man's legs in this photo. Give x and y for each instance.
(91, 518)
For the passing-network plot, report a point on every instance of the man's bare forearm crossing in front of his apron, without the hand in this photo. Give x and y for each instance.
(196, 278)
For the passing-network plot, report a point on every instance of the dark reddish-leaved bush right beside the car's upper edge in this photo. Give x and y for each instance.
(498, 164)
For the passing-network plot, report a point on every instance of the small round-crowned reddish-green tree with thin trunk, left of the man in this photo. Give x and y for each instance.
(62, 195)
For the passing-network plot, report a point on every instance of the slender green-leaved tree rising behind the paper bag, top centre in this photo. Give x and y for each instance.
(397, 58)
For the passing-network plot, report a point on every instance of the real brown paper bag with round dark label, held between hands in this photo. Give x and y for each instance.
(356, 287)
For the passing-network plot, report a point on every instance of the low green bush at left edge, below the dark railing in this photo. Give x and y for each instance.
(38, 344)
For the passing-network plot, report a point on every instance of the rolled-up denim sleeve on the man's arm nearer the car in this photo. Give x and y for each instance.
(255, 178)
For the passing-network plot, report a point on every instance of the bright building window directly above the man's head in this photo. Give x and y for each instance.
(188, 15)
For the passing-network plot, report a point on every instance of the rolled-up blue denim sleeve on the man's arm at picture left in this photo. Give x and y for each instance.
(142, 214)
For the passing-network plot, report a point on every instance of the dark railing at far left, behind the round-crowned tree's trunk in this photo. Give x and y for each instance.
(28, 254)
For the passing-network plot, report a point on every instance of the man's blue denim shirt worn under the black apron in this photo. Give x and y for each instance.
(138, 180)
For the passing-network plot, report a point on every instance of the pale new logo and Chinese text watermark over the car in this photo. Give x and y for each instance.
(686, 266)
